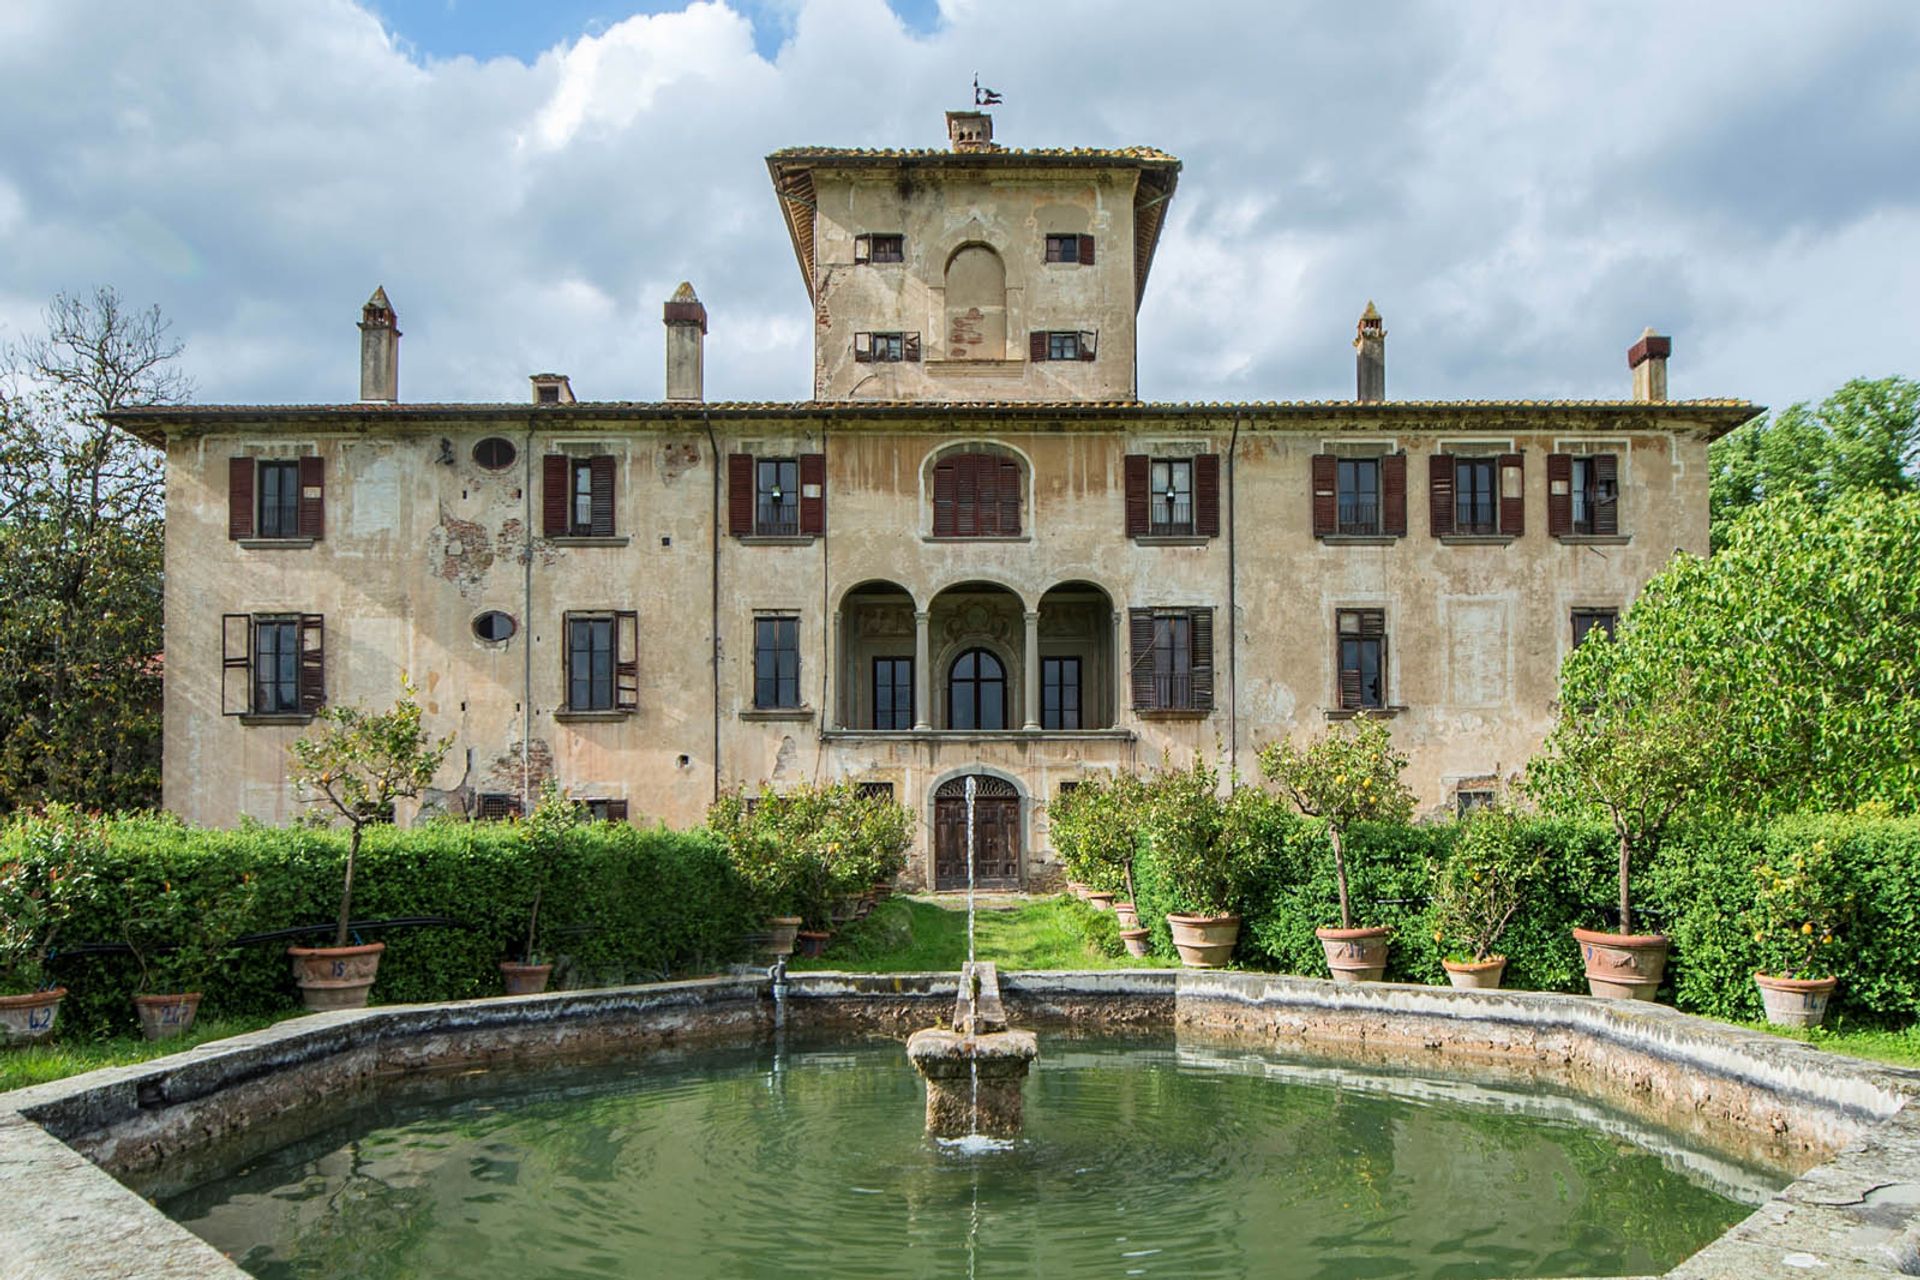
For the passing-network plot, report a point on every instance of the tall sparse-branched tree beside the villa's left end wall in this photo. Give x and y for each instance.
(82, 546)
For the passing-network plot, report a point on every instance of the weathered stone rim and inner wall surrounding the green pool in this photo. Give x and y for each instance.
(1854, 1212)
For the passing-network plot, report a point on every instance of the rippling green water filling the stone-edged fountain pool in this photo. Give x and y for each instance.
(1138, 1162)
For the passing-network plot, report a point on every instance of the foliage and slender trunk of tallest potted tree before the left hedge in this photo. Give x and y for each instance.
(360, 765)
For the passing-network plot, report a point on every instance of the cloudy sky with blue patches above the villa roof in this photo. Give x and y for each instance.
(1522, 187)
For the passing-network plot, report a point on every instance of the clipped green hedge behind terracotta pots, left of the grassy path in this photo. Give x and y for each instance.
(625, 905)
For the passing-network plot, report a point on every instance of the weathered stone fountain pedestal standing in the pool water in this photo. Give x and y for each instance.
(974, 1072)
